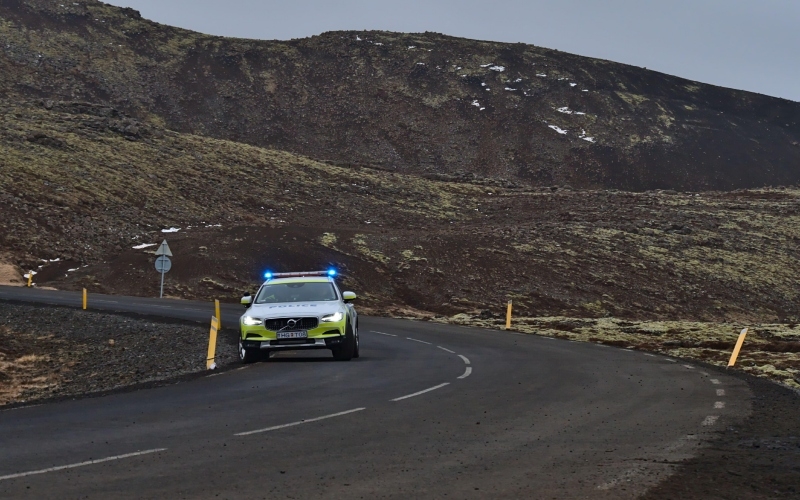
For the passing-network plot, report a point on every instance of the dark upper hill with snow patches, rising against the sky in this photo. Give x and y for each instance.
(426, 104)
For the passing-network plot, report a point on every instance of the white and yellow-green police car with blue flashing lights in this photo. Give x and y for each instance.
(294, 311)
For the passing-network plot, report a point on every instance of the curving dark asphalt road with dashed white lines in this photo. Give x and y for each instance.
(429, 410)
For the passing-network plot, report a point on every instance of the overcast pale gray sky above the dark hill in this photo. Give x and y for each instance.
(745, 44)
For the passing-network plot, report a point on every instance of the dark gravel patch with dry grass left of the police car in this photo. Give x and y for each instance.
(50, 352)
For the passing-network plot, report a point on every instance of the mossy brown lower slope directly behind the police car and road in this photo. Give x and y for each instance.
(89, 186)
